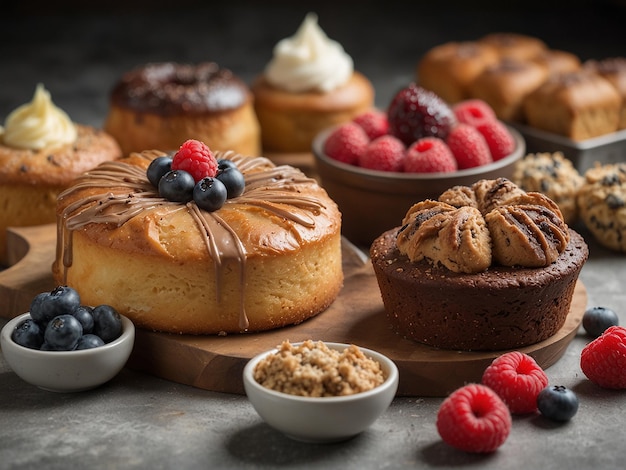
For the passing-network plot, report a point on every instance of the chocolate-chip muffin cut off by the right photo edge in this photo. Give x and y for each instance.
(602, 203)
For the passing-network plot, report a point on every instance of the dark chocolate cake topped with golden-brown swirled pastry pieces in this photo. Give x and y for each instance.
(485, 267)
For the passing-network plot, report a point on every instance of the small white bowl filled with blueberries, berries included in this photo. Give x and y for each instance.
(63, 346)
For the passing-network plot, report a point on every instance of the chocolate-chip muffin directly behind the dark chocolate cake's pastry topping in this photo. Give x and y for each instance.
(553, 175)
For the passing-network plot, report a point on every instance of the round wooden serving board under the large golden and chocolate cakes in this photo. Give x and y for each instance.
(216, 362)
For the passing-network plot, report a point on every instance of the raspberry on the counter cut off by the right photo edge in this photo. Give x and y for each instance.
(603, 360)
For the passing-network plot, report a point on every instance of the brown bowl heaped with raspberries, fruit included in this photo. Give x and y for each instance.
(382, 162)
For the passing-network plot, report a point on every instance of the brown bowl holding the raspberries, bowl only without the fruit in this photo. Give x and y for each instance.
(372, 202)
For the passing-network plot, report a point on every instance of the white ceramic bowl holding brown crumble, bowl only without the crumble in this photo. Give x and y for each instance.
(325, 419)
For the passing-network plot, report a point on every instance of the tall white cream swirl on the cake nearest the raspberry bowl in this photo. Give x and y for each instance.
(309, 61)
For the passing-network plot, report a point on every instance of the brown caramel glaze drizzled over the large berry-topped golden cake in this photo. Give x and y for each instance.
(272, 188)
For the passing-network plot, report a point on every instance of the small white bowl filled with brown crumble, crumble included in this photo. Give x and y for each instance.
(316, 391)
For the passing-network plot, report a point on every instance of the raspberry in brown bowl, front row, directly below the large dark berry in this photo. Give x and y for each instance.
(429, 155)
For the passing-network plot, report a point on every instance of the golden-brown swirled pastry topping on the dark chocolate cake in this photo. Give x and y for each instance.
(492, 222)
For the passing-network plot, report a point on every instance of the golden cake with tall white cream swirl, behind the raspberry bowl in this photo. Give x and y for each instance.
(309, 85)
